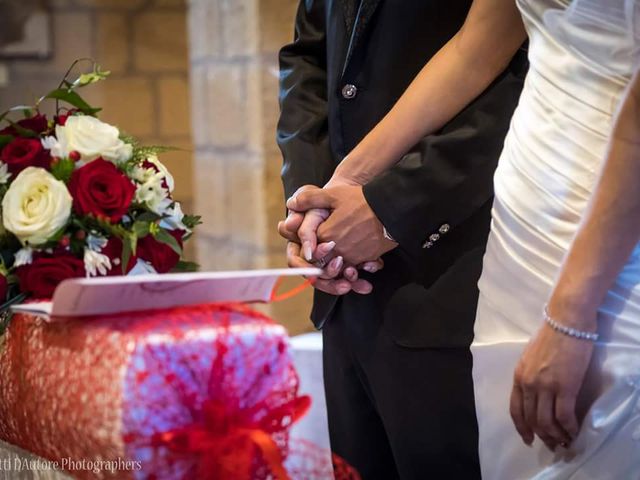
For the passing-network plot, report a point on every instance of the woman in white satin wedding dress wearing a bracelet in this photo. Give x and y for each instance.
(565, 232)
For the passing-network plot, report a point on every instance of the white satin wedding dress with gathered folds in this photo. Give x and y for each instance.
(582, 57)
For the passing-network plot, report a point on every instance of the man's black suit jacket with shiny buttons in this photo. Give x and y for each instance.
(436, 202)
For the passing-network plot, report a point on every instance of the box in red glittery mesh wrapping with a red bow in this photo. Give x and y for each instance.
(192, 393)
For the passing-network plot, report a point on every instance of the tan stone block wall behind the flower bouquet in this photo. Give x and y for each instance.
(144, 44)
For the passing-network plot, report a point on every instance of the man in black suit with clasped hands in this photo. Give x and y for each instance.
(397, 363)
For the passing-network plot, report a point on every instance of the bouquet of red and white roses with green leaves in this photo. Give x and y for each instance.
(79, 198)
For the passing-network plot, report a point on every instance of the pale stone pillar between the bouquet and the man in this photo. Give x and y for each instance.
(234, 88)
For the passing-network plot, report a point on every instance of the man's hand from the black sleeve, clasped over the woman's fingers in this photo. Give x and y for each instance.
(352, 225)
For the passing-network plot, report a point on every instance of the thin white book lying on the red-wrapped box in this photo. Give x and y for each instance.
(80, 297)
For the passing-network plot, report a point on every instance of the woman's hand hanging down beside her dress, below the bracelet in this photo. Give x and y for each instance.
(546, 384)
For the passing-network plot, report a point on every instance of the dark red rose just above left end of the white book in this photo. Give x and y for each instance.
(41, 277)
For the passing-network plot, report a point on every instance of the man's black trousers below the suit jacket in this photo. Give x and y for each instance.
(396, 412)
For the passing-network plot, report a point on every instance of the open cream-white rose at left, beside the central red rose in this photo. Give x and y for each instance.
(36, 206)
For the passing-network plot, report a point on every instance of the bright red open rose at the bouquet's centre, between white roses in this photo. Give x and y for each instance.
(100, 189)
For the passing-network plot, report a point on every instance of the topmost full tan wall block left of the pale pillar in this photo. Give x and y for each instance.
(160, 41)
